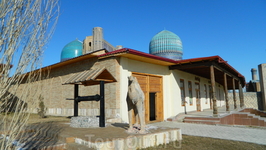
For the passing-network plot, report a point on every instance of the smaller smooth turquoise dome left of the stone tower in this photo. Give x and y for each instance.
(71, 50)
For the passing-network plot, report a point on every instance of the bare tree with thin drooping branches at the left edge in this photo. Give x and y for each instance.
(25, 28)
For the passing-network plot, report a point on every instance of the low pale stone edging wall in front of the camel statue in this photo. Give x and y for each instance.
(134, 142)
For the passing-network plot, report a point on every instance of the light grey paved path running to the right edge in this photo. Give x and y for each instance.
(245, 134)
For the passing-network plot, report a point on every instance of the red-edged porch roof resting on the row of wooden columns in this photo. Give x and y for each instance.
(201, 67)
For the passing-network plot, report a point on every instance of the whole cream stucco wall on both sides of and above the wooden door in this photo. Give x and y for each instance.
(171, 89)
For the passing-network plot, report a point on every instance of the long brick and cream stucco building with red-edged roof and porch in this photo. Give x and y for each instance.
(170, 86)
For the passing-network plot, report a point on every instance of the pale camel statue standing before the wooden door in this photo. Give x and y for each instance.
(135, 102)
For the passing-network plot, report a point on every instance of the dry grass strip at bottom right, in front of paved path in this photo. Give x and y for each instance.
(205, 143)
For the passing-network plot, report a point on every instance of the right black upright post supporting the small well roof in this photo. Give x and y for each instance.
(102, 109)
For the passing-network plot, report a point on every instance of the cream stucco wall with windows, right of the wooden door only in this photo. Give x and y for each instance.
(172, 101)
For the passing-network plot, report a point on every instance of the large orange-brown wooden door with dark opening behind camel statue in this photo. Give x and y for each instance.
(152, 87)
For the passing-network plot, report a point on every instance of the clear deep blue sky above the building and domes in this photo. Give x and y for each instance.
(233, 29)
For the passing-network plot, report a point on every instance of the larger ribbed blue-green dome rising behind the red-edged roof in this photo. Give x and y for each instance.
(166, 44)
